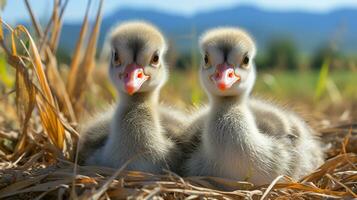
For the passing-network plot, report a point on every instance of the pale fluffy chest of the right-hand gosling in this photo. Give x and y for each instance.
(237, 150)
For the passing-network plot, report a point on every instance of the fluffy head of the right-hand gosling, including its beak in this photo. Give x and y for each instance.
(227, 67)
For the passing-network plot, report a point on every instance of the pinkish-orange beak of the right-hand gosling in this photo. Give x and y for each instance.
(224, 77)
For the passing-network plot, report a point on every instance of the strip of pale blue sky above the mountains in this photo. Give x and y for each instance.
(15, 9)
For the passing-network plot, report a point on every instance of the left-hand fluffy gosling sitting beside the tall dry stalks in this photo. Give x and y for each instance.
(138, 71)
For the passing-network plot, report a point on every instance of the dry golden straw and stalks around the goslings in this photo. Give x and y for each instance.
(37, 159)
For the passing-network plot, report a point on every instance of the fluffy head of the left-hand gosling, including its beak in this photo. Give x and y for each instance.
(137, 63)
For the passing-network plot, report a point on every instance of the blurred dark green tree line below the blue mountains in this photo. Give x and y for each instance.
(280, 54)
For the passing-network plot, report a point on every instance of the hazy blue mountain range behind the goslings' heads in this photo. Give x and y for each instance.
(307, 30)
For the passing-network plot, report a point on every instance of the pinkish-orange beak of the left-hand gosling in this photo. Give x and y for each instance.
(134, 77)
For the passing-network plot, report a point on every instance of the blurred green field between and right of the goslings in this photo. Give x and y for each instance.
(308, 86)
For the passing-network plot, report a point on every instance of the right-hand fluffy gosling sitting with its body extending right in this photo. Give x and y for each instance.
(245, 138)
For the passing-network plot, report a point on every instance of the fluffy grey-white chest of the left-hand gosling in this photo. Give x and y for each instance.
(140, 141)
